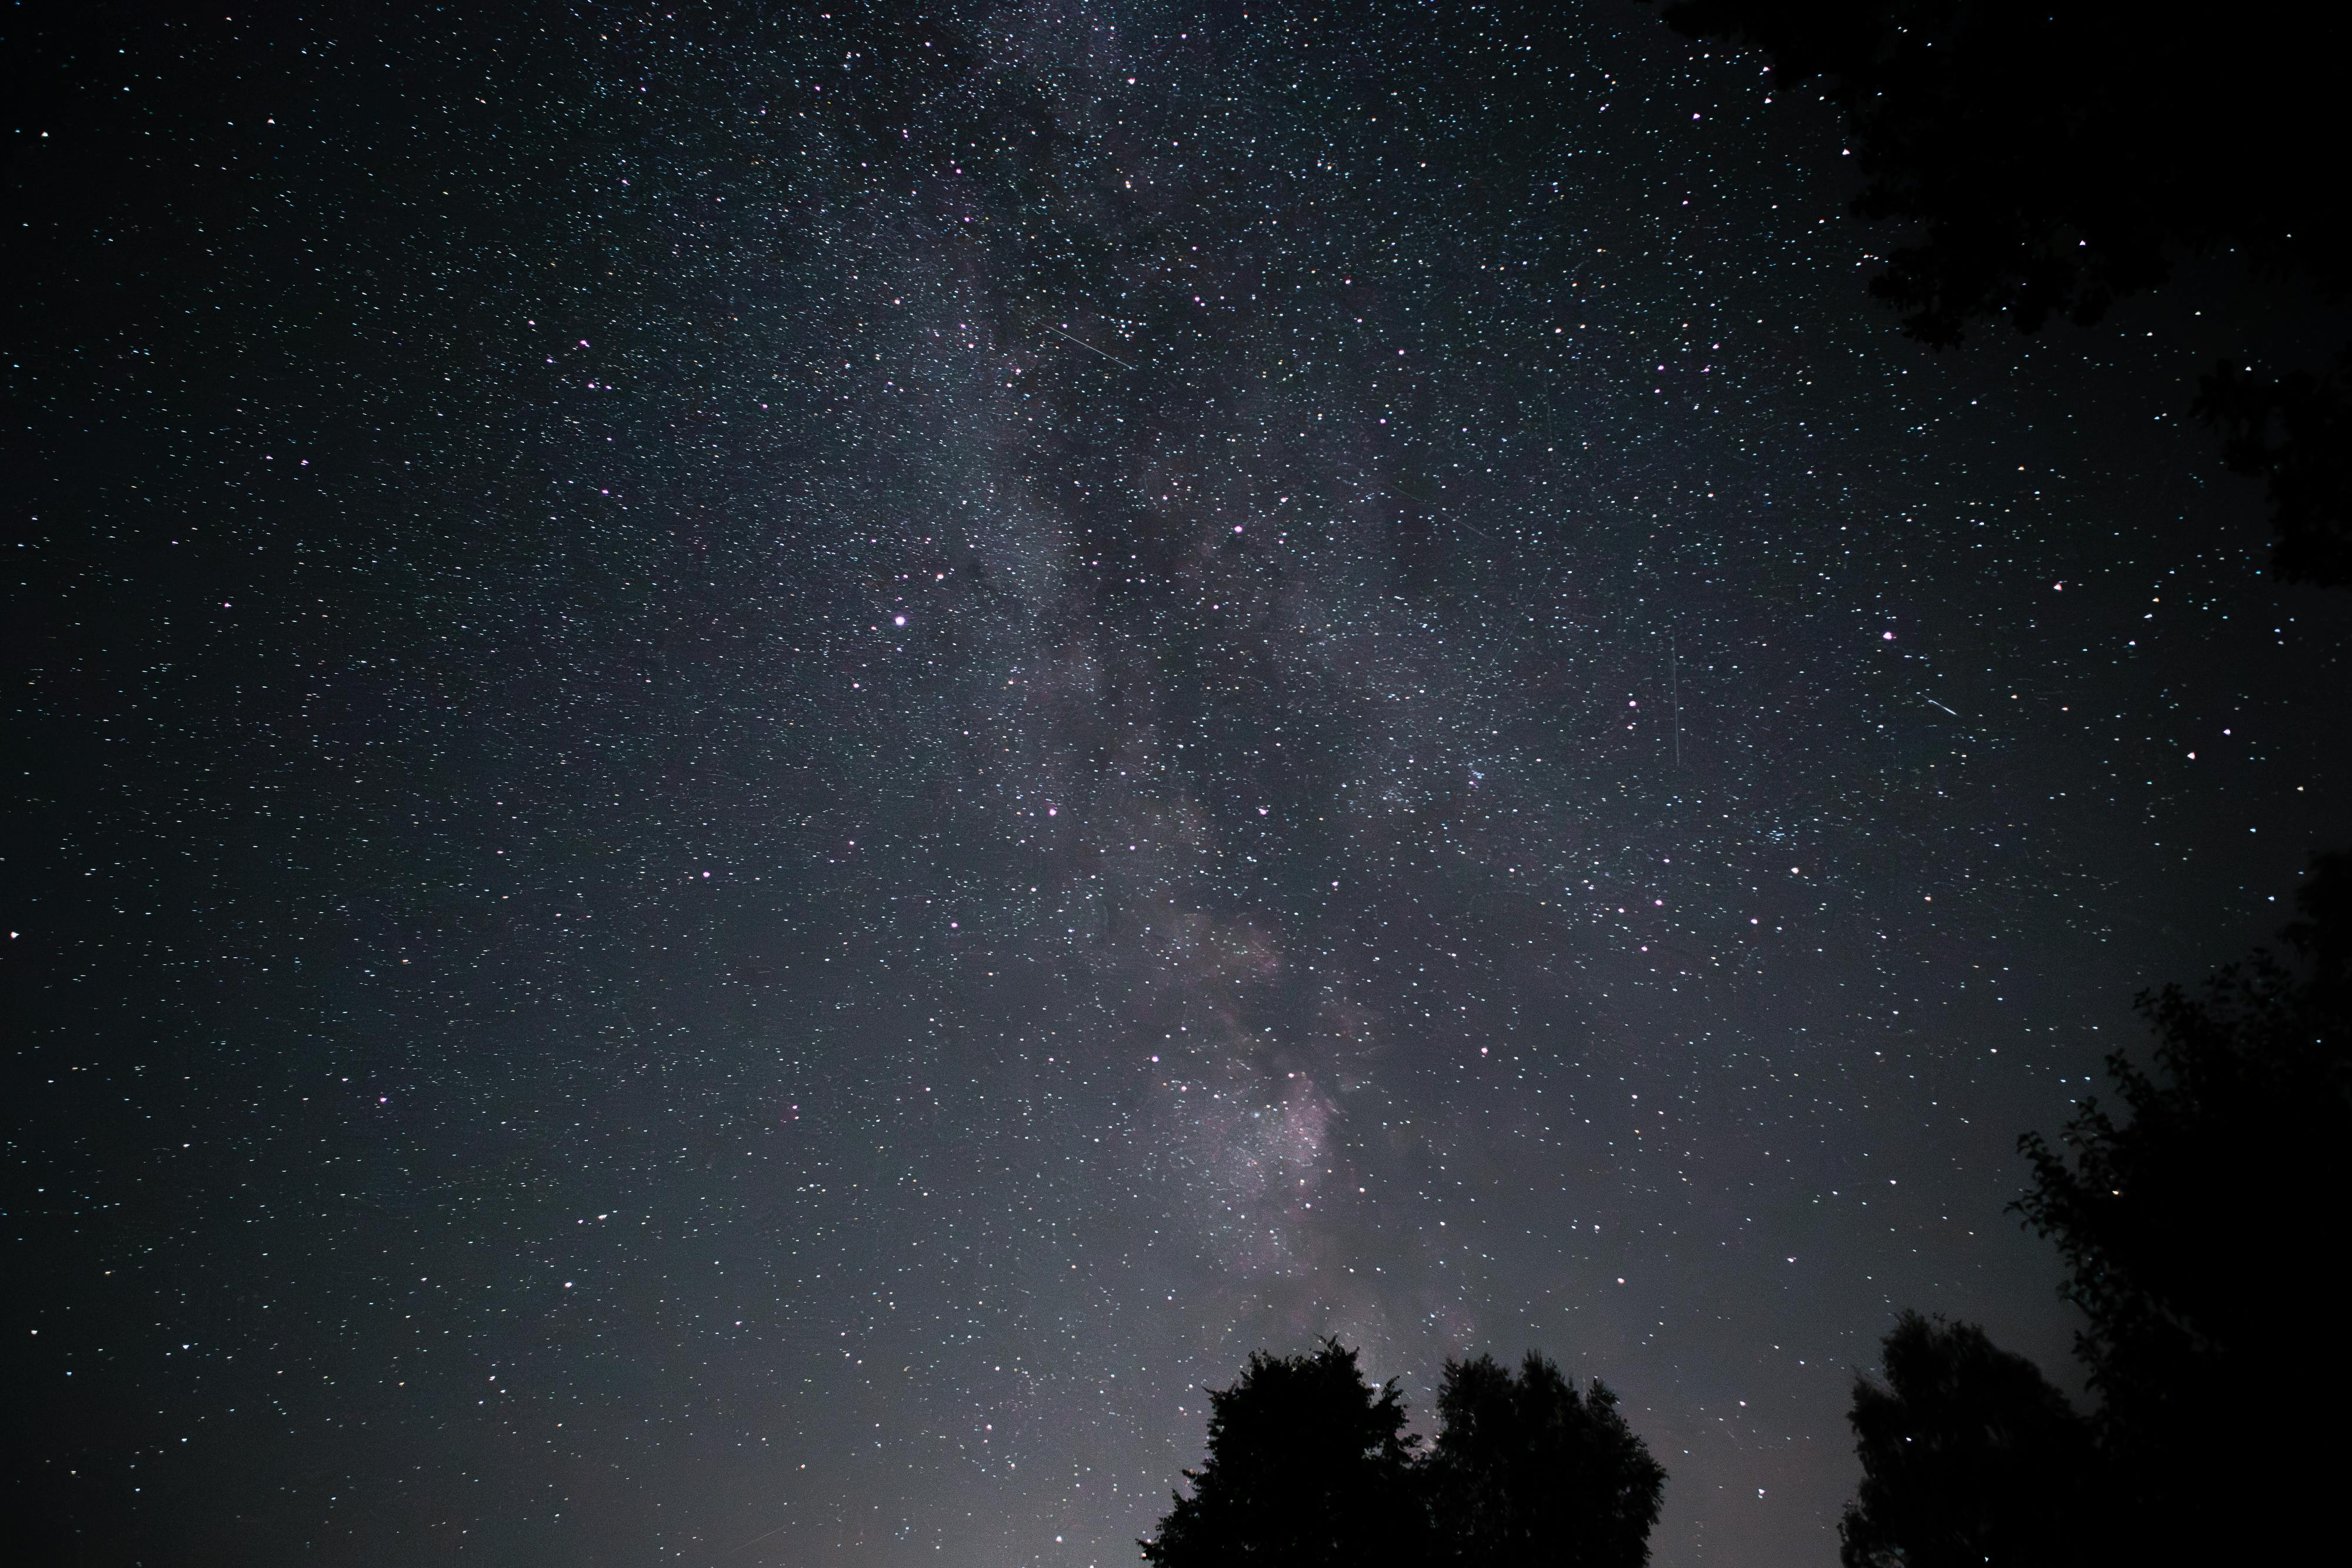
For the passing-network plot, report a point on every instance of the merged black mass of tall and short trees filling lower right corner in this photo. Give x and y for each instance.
(2198, 1231)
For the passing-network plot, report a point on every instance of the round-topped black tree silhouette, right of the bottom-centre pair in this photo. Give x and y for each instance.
(1530, 1473)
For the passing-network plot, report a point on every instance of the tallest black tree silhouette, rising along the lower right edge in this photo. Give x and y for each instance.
(2203, 1233)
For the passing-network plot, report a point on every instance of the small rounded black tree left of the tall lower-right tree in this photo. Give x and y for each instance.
(1970, 1459)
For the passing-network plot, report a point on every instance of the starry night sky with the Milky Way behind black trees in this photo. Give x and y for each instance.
(773, 765)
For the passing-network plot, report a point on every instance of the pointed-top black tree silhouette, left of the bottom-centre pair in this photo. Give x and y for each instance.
(1309, 1468)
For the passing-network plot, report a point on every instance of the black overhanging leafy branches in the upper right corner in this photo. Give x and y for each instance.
(2054, 159)
